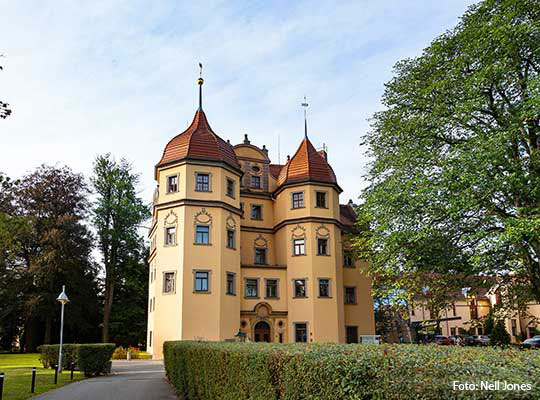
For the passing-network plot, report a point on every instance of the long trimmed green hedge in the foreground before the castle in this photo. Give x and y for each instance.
(211, 370)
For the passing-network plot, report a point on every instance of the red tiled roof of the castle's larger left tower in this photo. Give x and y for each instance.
(199, 142)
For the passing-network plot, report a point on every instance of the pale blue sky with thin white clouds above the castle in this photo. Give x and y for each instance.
(86, 78)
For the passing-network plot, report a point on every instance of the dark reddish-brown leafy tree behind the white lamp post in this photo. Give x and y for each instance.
(46, 244)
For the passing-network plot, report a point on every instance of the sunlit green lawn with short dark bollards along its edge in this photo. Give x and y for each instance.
(17, 369)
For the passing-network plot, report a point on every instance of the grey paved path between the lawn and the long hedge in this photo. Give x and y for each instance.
(130, 380)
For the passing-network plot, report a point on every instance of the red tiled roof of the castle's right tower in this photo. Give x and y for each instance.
(306, 165)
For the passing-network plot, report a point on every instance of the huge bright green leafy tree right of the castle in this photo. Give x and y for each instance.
(455, 172)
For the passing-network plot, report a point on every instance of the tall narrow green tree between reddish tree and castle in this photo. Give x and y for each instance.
(118, 214)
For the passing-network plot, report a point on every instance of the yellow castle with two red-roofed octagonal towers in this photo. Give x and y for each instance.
(243, 246)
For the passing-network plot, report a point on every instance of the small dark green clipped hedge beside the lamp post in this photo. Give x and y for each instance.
(92, 359)
